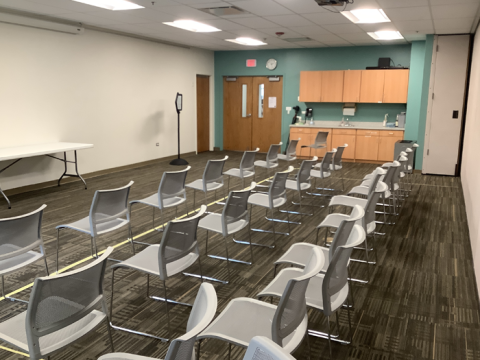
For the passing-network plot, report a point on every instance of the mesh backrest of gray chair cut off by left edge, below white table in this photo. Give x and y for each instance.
(21, 234)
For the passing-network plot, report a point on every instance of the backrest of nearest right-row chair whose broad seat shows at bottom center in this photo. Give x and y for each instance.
(292, 307)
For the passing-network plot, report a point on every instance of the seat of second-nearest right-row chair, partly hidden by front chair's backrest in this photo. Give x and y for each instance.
(314, 289)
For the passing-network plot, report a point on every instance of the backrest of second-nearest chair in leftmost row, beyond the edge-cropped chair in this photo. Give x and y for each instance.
(108, 205)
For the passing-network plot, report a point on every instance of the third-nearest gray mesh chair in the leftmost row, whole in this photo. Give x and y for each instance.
(171, 193)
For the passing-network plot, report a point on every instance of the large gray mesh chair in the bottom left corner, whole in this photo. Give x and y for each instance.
(61, 310)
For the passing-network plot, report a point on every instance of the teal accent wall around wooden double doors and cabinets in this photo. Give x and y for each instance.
(292, 61)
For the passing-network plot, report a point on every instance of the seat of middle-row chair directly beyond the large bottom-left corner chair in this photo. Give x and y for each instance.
(147, 261)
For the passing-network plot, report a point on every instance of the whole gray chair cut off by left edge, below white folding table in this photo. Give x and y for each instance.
(19, 238)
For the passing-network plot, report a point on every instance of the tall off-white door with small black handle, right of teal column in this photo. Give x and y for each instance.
(445, 108)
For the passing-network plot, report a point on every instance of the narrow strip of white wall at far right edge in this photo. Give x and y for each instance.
(470, 163)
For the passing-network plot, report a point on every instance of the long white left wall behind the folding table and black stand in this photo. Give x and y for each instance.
(113, 91)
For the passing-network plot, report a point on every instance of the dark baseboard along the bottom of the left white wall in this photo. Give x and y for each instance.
(66, 180)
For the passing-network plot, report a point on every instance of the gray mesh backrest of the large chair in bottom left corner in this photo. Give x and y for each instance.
(59, 301)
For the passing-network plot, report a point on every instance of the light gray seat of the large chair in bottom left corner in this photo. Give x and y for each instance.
(13, 330)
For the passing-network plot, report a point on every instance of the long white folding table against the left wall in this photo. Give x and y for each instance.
(18, 153)
